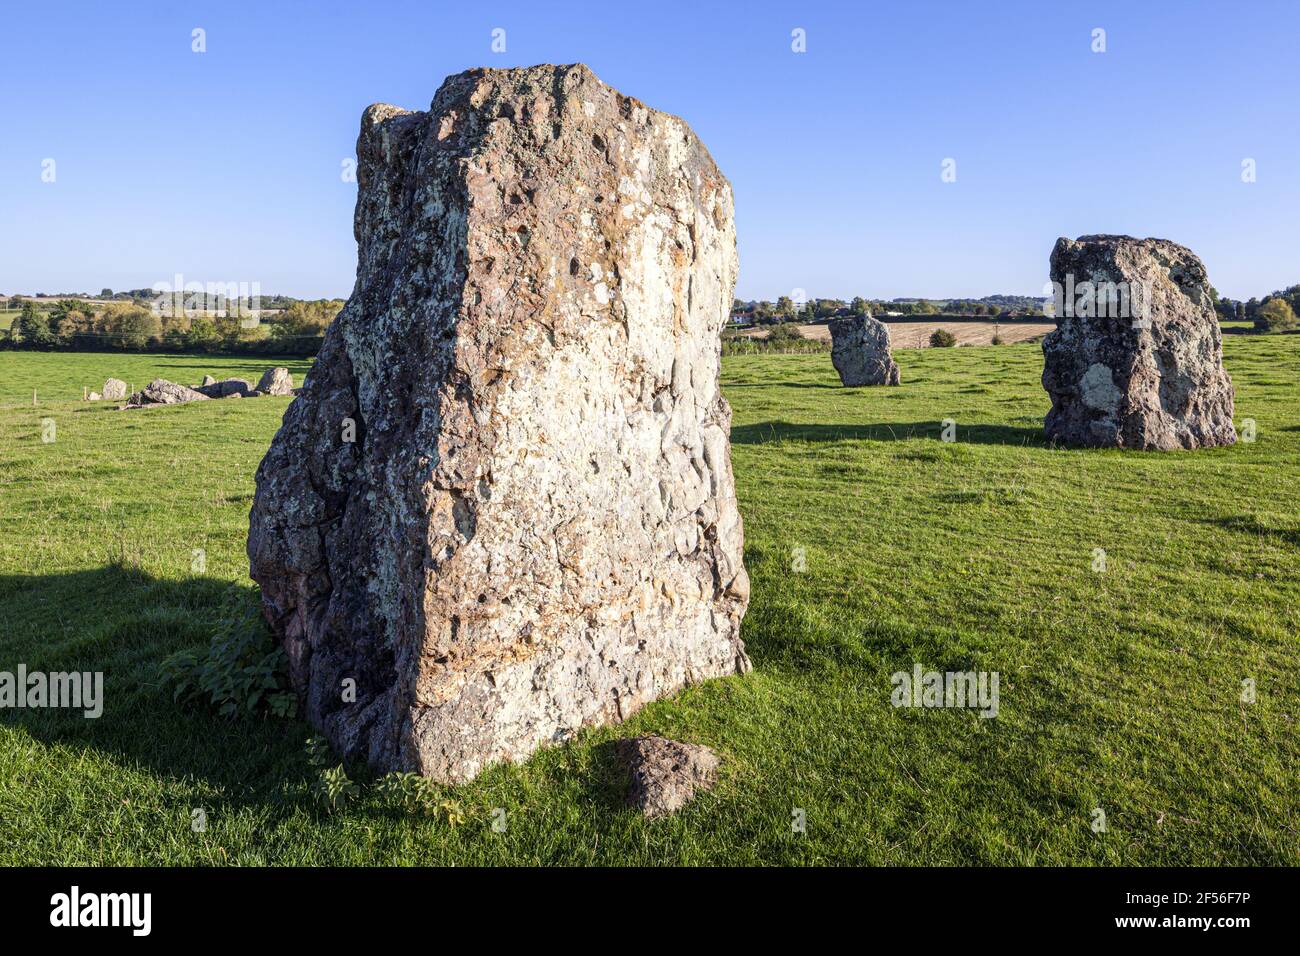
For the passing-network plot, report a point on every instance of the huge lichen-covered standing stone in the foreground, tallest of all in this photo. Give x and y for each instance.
(535, 527)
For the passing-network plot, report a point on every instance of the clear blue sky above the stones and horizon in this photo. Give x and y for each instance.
(226, 166)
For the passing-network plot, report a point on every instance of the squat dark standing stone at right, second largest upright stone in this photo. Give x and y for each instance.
(1137, 360)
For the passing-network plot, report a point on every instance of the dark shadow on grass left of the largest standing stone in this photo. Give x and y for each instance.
(124, 624)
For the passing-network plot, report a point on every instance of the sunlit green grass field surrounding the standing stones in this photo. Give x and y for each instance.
(1120, 690)
